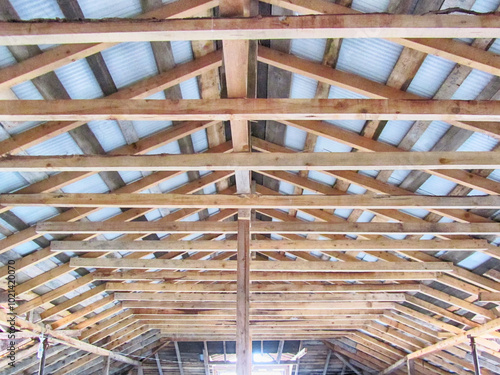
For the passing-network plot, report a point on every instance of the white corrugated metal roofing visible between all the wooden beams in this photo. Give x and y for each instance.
(128, 63)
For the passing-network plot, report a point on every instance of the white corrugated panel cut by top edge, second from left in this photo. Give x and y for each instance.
(103, 9)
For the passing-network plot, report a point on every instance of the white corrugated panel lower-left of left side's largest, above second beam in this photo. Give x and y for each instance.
(79, 81)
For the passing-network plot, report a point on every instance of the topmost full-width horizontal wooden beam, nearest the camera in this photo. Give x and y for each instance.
(291, 27)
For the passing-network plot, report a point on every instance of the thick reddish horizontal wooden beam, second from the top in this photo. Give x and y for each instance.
(249, 109)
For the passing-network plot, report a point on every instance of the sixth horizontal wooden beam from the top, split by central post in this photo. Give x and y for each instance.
(270, 245)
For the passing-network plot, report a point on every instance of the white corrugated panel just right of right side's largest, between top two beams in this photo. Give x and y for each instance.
(431, 75)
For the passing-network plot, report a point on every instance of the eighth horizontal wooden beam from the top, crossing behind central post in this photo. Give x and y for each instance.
(261, 276)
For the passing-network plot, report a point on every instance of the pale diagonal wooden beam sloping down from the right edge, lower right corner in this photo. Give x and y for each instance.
(491, 326)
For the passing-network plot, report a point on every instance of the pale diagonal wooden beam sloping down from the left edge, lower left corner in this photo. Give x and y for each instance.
(23, 324)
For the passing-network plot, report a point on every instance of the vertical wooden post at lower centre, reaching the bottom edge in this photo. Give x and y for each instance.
(243, 339)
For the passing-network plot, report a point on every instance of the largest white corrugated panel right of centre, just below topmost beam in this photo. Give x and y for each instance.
(370, 58)
